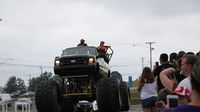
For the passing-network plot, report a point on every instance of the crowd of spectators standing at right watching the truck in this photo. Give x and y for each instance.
(177, 74)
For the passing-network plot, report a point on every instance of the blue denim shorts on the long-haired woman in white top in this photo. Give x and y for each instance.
(149, 102)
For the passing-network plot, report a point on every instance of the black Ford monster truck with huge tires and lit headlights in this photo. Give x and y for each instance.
(82, 74)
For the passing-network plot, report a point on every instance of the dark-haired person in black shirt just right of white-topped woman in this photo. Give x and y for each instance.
(164, 64)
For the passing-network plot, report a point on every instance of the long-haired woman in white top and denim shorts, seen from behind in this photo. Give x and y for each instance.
(147, 89)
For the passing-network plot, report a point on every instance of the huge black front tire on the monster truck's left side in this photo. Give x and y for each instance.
(48, 97)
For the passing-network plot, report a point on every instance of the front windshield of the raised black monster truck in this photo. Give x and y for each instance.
(80, 50)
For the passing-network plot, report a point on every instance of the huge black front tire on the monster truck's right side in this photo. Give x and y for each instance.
(108, 95)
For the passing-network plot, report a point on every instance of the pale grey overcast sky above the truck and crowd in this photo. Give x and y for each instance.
(33, 32)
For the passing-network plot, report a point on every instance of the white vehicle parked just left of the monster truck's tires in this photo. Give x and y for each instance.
(23, 103)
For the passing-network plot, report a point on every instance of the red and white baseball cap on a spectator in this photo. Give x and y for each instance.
(181, 90)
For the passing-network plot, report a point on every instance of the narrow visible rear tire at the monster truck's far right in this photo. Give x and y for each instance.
(125, 95)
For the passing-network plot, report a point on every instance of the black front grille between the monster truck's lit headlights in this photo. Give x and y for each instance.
(74, 61)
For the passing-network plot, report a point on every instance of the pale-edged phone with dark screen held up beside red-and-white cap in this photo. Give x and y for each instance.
(172, 100)
